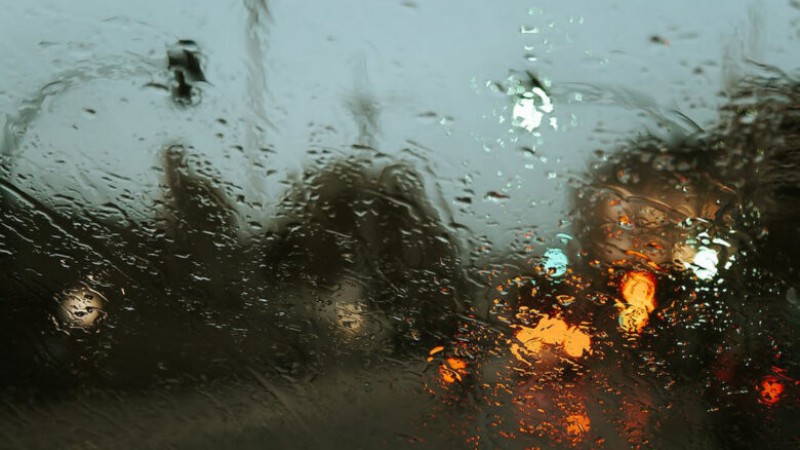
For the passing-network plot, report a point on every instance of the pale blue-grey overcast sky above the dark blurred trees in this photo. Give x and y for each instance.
(427, 66)
